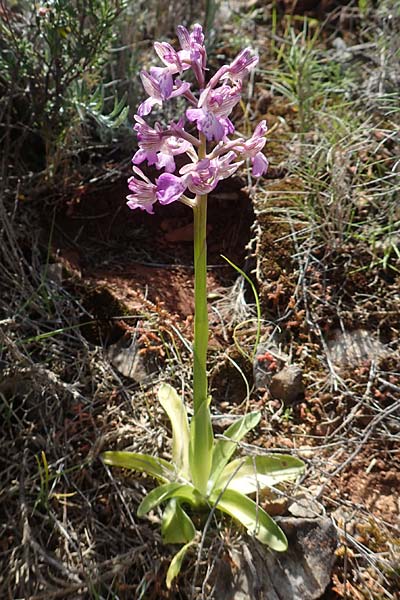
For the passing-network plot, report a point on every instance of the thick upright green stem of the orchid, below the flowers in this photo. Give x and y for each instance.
(201, 443)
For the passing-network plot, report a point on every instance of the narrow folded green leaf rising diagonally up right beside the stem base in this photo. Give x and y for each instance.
(223, 449)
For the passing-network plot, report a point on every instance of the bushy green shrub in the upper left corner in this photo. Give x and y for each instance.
(51, 59)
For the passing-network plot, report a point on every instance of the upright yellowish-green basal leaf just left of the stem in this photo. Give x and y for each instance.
(173, 405)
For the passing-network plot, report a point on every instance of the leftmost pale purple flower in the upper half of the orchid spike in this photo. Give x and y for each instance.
(160, 86)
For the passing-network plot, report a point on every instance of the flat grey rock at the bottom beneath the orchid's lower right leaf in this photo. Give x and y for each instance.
(301, 573)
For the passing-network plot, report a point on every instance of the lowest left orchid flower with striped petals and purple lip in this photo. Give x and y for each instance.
(168, 188)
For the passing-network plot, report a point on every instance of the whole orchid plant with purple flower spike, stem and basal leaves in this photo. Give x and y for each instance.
(201, 475)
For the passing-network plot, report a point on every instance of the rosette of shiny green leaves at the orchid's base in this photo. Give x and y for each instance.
(228, 483)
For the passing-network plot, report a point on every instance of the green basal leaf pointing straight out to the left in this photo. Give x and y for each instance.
(156, 467)
